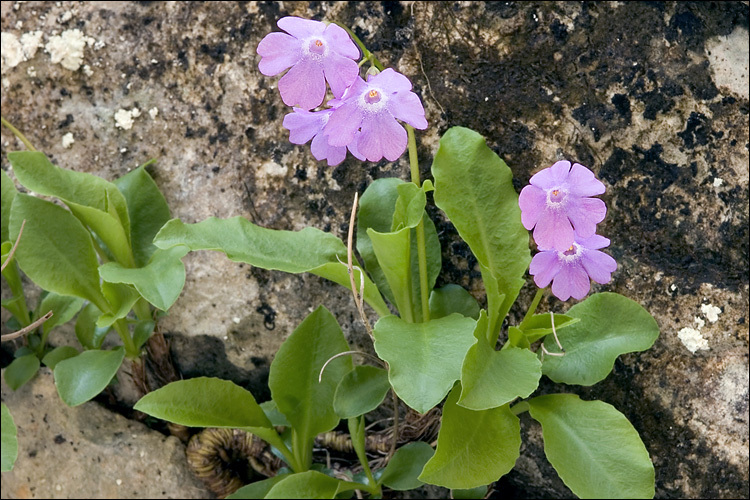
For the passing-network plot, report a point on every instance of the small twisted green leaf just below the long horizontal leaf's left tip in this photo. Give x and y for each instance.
(159, 282)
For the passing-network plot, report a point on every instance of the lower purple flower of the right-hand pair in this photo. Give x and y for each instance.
(570, 270)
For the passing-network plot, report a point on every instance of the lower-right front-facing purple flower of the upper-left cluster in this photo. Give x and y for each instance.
(372, 108)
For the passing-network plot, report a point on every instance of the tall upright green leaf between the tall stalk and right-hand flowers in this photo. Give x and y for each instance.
(475, 190)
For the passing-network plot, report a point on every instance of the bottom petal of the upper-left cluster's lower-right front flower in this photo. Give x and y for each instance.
(382, 136)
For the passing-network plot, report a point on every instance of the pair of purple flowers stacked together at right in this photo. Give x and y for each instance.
(558, 205)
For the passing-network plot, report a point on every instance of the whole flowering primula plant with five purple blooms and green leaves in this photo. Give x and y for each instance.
(436, 347)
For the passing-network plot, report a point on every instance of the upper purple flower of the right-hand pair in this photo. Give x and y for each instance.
(557, 200)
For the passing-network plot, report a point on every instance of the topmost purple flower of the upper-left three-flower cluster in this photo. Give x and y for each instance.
(316, 53)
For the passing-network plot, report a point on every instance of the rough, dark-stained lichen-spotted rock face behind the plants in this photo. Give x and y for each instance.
(652, 96)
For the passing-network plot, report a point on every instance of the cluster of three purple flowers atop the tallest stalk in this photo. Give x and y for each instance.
(362, 116)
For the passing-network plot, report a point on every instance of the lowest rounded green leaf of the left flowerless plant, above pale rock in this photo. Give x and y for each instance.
(81, 378)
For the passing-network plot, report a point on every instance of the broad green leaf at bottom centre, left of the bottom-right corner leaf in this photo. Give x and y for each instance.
(474, 447)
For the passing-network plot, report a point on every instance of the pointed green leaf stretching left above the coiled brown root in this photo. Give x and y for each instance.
(204, 402)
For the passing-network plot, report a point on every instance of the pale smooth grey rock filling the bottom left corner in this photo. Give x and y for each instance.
(89, 452)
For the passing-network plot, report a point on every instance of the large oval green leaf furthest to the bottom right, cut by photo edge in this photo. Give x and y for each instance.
(593, 447)
